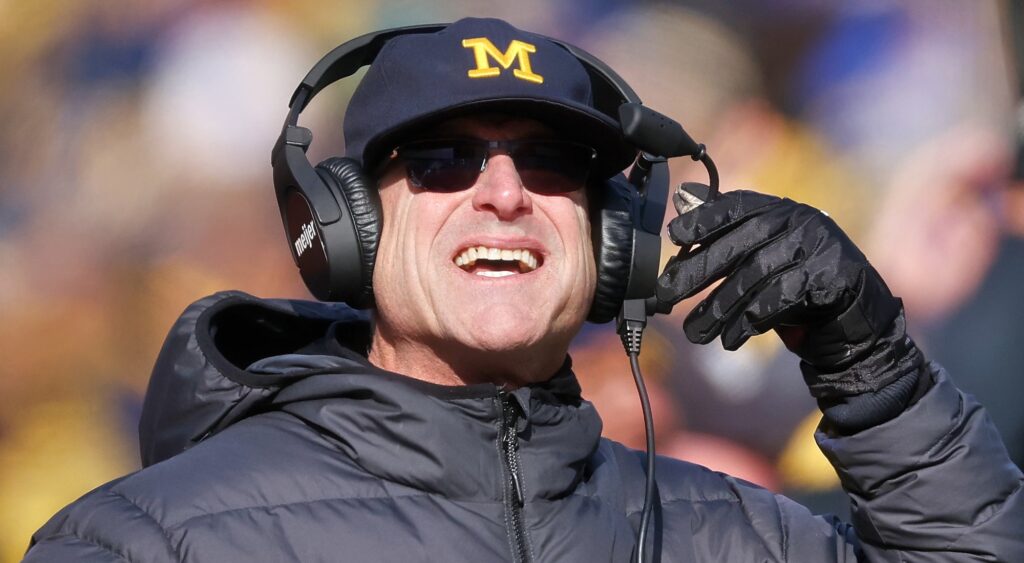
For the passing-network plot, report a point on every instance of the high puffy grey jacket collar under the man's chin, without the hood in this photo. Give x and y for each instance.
(446, 440)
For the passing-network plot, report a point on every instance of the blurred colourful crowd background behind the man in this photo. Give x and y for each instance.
(136, 179)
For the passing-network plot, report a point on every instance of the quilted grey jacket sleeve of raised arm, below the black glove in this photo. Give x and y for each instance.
(933, 485)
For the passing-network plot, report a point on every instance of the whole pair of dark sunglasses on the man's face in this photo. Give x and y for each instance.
(545, 166)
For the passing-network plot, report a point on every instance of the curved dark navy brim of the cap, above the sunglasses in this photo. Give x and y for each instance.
(575, 122)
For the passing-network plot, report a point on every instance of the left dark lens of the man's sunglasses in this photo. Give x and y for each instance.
(444, 168)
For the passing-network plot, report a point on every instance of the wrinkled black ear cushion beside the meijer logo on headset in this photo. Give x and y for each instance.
(358, 195)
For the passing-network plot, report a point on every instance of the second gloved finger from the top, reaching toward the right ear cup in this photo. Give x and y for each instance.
(690, 275)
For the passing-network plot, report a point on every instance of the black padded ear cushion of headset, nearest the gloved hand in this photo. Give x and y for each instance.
(613, 234)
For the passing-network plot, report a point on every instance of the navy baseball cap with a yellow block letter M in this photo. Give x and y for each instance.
(472, 67)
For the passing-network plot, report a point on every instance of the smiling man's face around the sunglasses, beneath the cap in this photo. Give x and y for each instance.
(424, 292)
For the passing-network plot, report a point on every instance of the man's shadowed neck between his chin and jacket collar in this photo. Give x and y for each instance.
(446, 364)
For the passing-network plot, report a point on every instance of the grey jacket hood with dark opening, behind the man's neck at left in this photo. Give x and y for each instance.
(200, 384)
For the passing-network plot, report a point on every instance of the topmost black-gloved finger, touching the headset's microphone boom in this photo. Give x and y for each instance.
(712, 219)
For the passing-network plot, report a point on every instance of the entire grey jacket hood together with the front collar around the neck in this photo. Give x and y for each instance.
(232, 356)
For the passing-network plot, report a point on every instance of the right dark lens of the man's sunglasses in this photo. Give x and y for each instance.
(553, 167)
